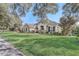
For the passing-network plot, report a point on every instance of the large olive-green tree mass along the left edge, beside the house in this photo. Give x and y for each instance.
(8, 20)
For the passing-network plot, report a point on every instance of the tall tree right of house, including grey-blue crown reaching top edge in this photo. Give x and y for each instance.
(68, 21)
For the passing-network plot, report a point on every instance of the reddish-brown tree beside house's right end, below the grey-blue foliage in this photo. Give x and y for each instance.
(67, 24)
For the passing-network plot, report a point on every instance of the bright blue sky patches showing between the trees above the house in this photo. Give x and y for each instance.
(30, 19)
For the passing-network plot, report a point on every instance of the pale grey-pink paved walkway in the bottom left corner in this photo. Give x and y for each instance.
(6, 49)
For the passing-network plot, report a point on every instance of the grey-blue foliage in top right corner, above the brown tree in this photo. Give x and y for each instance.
(71, 9)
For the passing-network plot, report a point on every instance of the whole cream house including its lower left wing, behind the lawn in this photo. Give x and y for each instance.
(43, 26)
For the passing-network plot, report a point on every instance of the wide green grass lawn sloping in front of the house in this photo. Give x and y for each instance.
(42, 45)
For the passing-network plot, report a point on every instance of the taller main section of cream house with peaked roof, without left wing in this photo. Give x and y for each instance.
(47, 26)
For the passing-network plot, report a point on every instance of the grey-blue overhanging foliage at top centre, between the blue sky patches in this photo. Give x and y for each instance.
(42, 9)
